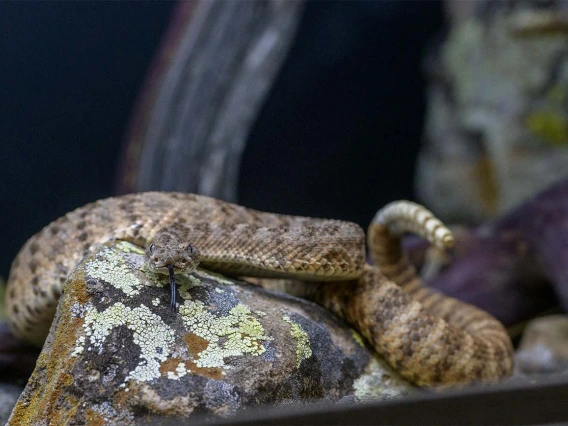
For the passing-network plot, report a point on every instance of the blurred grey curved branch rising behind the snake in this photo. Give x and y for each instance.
(191, 127)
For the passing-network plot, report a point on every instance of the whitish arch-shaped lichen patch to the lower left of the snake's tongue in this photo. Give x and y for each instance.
(151, 334)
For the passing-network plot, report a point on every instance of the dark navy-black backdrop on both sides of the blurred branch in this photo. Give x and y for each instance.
(337, 137)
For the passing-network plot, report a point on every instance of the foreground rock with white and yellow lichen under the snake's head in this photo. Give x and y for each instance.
(117, 353)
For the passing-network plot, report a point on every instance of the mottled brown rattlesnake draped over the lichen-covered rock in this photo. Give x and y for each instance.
(429, 338)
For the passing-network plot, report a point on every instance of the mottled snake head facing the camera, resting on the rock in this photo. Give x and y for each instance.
(167, 250)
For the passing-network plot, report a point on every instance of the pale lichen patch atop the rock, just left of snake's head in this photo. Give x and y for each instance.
(111, 268)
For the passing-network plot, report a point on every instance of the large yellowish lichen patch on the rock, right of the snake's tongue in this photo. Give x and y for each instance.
(242, 333)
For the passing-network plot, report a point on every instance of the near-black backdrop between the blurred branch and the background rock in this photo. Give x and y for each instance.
(339, 133)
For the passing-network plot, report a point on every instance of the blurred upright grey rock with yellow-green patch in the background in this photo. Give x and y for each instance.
(497, 125)
